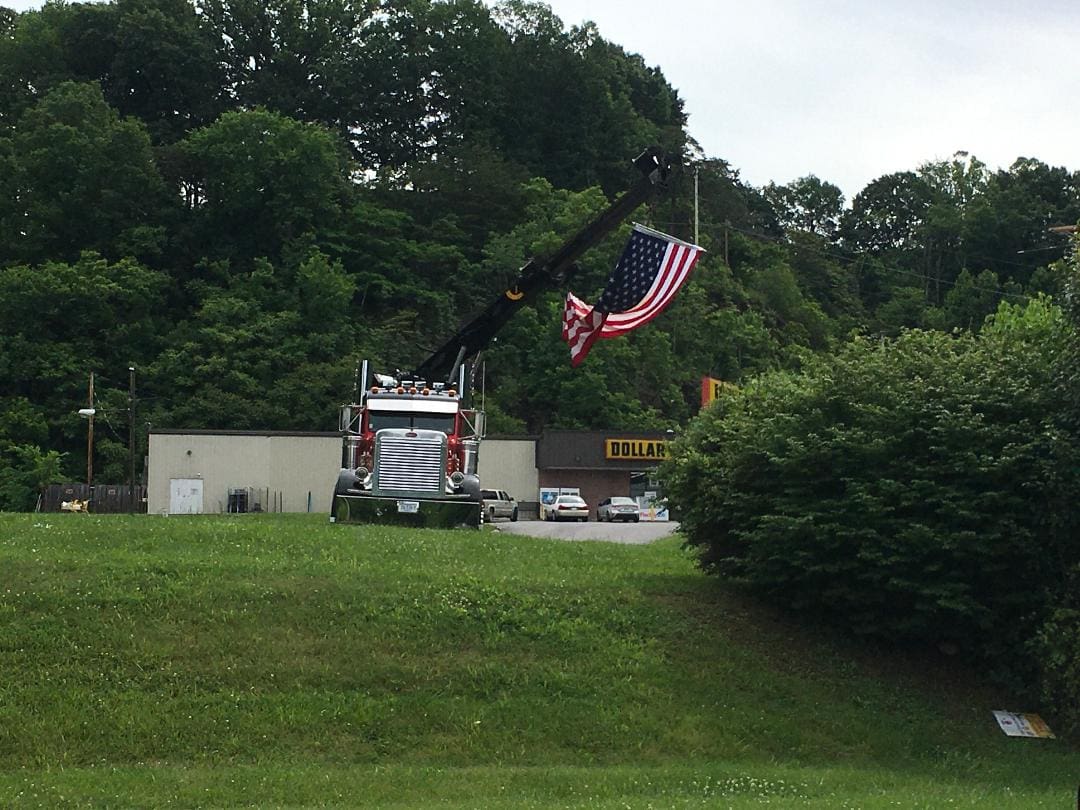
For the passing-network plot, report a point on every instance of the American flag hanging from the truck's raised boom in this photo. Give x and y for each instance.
(651, 272)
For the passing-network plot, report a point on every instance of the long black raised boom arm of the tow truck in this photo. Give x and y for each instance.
(537, 276)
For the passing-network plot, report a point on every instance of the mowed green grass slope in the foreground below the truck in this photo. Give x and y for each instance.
(278, 661)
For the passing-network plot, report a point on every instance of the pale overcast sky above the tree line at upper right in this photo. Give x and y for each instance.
(850, 90)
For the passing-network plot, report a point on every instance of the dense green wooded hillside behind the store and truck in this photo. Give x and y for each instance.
(242, 199)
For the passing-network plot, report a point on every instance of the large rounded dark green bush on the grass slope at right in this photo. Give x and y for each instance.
(900, 489)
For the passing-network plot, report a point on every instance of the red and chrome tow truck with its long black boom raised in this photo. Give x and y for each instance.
(411, 441)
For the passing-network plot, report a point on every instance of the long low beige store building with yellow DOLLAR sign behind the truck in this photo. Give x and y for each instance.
(288, 471)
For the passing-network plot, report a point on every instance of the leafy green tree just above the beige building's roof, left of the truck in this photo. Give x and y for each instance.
(272, 349)
